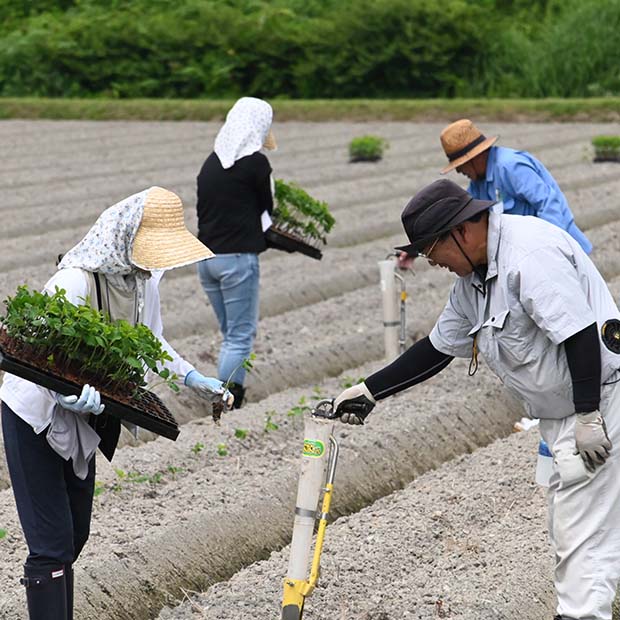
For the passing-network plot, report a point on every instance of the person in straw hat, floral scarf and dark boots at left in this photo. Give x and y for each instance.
(49, 443)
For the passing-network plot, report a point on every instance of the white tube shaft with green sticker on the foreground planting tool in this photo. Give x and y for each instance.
(311, 482)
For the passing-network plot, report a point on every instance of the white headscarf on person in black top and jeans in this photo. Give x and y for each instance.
(245, 130)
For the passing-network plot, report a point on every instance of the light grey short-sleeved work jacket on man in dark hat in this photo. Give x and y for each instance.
(540, 289)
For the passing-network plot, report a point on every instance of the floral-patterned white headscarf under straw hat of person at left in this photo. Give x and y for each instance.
(107, 246)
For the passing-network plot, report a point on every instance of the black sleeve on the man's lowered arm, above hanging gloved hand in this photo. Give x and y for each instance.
(583, 352)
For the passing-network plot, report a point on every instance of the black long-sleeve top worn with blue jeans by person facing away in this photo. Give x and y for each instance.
(230, 204)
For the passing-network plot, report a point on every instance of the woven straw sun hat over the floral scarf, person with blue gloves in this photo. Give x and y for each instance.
(163, 241)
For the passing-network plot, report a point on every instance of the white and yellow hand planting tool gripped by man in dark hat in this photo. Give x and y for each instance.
(318, 468)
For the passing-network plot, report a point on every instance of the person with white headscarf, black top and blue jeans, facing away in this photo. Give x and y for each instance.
(235, 190)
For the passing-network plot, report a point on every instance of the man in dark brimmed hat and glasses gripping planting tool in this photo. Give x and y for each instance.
(551, 336)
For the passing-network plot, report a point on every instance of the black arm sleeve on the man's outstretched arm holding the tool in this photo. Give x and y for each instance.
(416, 364)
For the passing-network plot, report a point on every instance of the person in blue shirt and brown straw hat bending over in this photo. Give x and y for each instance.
(515, 178)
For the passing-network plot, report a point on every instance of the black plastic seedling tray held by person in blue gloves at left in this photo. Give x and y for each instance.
(160, 421)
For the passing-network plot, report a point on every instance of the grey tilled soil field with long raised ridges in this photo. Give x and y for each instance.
(466, 540)
